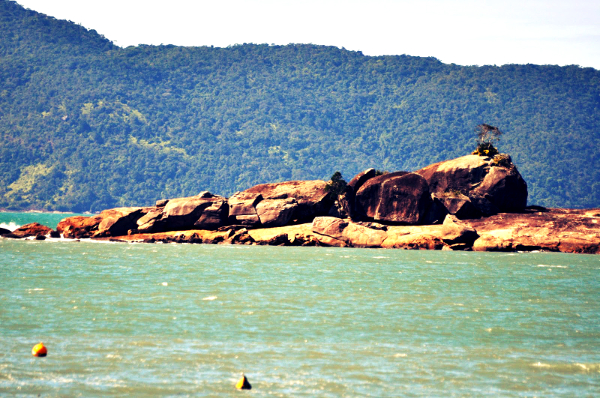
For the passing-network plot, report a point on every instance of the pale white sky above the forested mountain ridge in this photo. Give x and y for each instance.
(463, 32)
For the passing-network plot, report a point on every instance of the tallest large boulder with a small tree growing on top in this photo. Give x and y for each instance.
(492, 184)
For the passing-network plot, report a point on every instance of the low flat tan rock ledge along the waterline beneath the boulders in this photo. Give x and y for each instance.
(570, 231)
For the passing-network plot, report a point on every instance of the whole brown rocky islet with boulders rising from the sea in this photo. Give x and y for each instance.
(470, 203)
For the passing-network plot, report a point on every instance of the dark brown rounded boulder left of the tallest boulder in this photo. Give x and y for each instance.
(399, 197)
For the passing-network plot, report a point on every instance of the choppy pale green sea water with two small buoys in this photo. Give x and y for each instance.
(186, 320)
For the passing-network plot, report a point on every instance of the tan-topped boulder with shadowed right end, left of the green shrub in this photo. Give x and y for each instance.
(312, 200)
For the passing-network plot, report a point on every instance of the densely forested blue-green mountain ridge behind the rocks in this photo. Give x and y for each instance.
(86, 125)
